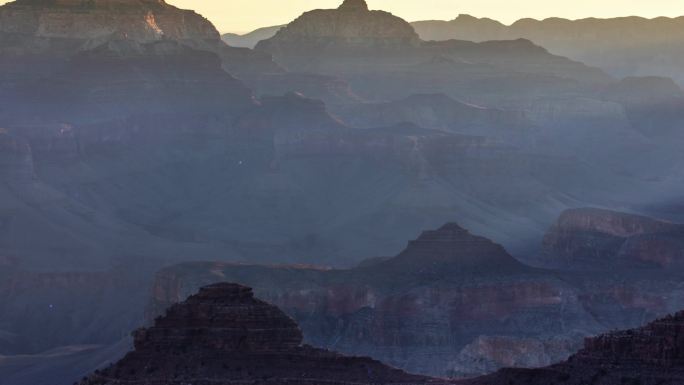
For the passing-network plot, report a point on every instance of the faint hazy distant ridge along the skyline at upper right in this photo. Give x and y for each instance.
(625, 46)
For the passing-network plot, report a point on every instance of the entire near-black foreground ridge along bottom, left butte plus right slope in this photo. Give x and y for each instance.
(223, 335)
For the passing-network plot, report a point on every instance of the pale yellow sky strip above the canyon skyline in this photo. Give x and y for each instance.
(241, 16)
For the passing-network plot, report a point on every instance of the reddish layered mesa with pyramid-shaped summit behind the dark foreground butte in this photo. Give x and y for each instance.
(420, 310)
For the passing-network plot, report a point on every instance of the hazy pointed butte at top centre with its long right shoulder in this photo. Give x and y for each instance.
(382, 58)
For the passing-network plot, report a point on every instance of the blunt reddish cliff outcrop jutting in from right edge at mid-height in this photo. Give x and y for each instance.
(593, 239)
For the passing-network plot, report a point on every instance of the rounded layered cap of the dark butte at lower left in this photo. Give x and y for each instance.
(221, 317)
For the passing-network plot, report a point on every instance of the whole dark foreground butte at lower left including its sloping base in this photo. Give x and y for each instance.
(223, 335)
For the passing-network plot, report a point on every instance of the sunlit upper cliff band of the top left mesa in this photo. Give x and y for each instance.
(92, 22)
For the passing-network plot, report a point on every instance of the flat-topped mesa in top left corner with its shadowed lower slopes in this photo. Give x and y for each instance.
(39, 36)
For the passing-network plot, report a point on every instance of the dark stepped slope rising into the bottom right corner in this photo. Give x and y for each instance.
(650, 355)
